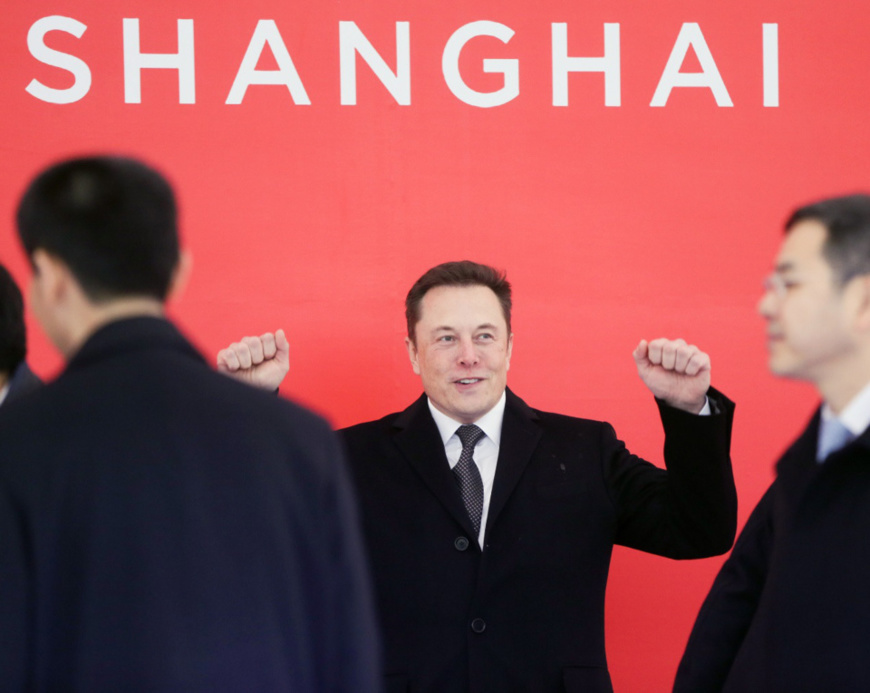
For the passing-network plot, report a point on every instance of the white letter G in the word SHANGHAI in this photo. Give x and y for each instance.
(508, 67)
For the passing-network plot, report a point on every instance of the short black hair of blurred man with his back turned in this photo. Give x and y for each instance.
(111, 220)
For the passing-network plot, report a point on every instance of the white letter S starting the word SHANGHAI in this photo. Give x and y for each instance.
(79, 68)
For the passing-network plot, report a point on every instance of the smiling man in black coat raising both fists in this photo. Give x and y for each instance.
(490, 524)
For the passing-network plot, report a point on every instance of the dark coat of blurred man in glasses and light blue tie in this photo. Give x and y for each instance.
(790, 609)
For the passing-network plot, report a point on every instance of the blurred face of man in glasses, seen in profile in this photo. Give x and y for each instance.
(809, 315)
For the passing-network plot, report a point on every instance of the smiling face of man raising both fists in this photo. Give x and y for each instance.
(461, 350)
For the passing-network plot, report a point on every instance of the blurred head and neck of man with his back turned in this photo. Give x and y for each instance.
(101, 234)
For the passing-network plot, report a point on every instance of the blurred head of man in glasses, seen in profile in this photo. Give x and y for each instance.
(817, 301)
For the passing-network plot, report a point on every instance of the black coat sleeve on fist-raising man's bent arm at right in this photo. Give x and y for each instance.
(690, 510)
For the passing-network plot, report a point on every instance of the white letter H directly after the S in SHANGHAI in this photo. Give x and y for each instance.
(135, 62)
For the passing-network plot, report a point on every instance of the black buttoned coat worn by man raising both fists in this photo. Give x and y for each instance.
(526, 614)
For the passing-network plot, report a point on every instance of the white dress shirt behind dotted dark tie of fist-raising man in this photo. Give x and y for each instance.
(485, 452)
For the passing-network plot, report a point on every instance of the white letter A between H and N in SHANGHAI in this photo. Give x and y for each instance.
(267, 32)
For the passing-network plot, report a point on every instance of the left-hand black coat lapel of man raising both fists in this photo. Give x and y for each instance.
(420, 443)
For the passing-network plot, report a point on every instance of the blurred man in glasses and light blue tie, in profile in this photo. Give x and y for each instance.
(789, 611)
